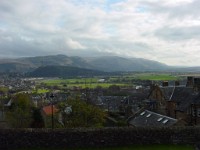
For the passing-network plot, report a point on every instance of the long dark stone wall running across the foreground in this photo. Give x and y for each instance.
(105, 137)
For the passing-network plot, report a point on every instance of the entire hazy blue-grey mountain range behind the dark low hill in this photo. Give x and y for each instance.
(107, 63)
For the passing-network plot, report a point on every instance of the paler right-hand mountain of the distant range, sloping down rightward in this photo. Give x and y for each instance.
(114, 63)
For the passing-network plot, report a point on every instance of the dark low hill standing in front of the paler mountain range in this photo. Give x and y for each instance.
(63, 71)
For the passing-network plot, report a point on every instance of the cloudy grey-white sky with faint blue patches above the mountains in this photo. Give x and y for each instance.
(167, 31)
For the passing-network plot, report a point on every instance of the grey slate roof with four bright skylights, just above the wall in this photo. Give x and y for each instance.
(148, 118)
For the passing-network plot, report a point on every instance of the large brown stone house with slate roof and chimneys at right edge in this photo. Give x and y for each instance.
(180, 102)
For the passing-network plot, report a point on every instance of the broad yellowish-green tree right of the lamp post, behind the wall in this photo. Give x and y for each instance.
(82, 114)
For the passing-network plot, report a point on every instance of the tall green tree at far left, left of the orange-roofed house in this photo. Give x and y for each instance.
(19, 115)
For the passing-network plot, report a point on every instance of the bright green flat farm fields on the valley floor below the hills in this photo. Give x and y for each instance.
(127, 79)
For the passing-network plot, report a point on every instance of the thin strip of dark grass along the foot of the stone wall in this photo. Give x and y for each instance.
(147, 147)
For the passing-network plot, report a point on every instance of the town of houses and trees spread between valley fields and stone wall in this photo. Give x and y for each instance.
(31, 103)
